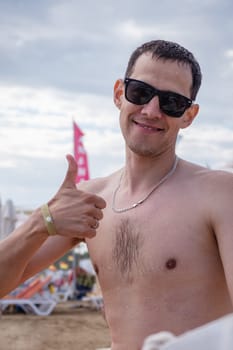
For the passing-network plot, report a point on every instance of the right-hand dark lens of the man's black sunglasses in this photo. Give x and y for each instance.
(173, 104)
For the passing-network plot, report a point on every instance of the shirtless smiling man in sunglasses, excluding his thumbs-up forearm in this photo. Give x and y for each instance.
(164, 263)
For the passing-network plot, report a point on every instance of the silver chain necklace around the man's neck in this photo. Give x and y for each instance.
(122, 210)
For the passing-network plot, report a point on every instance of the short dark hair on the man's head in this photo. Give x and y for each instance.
(168, 50)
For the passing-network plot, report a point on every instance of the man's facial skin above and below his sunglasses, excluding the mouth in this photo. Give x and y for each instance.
(165, 75)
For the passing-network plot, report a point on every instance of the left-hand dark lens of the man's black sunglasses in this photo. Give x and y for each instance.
(137, 93)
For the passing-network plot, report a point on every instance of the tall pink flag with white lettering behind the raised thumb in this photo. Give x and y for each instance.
(80, 155)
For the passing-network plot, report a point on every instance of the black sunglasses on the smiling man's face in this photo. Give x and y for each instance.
(170, 103)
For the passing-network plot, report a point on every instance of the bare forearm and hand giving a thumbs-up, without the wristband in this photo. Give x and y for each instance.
(29, 249)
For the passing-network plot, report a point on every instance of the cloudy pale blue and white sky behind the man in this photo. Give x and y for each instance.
(59, 60)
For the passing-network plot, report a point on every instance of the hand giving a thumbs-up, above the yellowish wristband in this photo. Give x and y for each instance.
(75, 213)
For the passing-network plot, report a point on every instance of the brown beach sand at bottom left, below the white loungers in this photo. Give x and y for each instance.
(69, 327)
